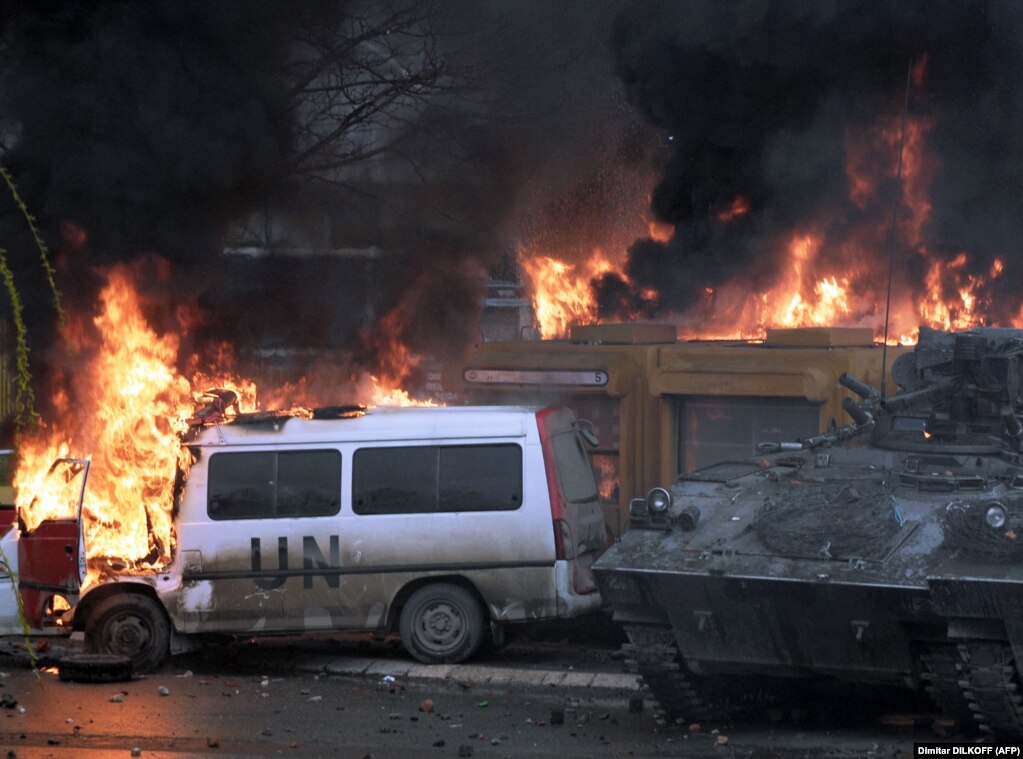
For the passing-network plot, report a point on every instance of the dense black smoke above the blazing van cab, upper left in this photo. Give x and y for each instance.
(138, 129)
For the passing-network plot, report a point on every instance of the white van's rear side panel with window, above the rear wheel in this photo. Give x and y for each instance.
(473, 509)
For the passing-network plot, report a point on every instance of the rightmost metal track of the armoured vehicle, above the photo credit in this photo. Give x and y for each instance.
(991, 685)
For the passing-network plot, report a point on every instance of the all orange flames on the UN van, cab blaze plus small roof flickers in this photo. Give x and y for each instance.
(134, 409)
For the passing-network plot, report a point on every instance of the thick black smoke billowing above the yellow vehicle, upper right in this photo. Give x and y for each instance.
(759, 97)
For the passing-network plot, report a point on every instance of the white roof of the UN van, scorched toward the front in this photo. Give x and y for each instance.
(378, 424)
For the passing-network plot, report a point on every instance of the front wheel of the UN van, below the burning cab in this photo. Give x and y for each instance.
(129, 626)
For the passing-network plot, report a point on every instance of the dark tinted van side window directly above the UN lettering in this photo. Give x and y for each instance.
(268, 484)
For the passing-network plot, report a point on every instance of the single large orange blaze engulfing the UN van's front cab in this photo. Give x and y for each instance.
(134, 409)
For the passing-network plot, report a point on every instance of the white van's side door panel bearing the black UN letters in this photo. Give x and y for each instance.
(259, 542)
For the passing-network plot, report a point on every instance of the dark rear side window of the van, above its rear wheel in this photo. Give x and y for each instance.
(431, 479)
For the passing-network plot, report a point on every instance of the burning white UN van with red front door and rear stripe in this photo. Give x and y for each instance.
(443, 525)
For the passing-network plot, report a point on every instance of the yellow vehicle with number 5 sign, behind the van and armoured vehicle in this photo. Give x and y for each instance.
(661, 408)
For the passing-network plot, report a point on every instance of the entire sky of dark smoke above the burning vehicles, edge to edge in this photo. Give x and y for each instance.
(147, 129)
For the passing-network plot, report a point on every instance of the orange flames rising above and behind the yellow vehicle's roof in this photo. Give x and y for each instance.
(817, 280)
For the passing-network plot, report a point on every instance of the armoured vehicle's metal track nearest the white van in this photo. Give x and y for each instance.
(653, 654)
